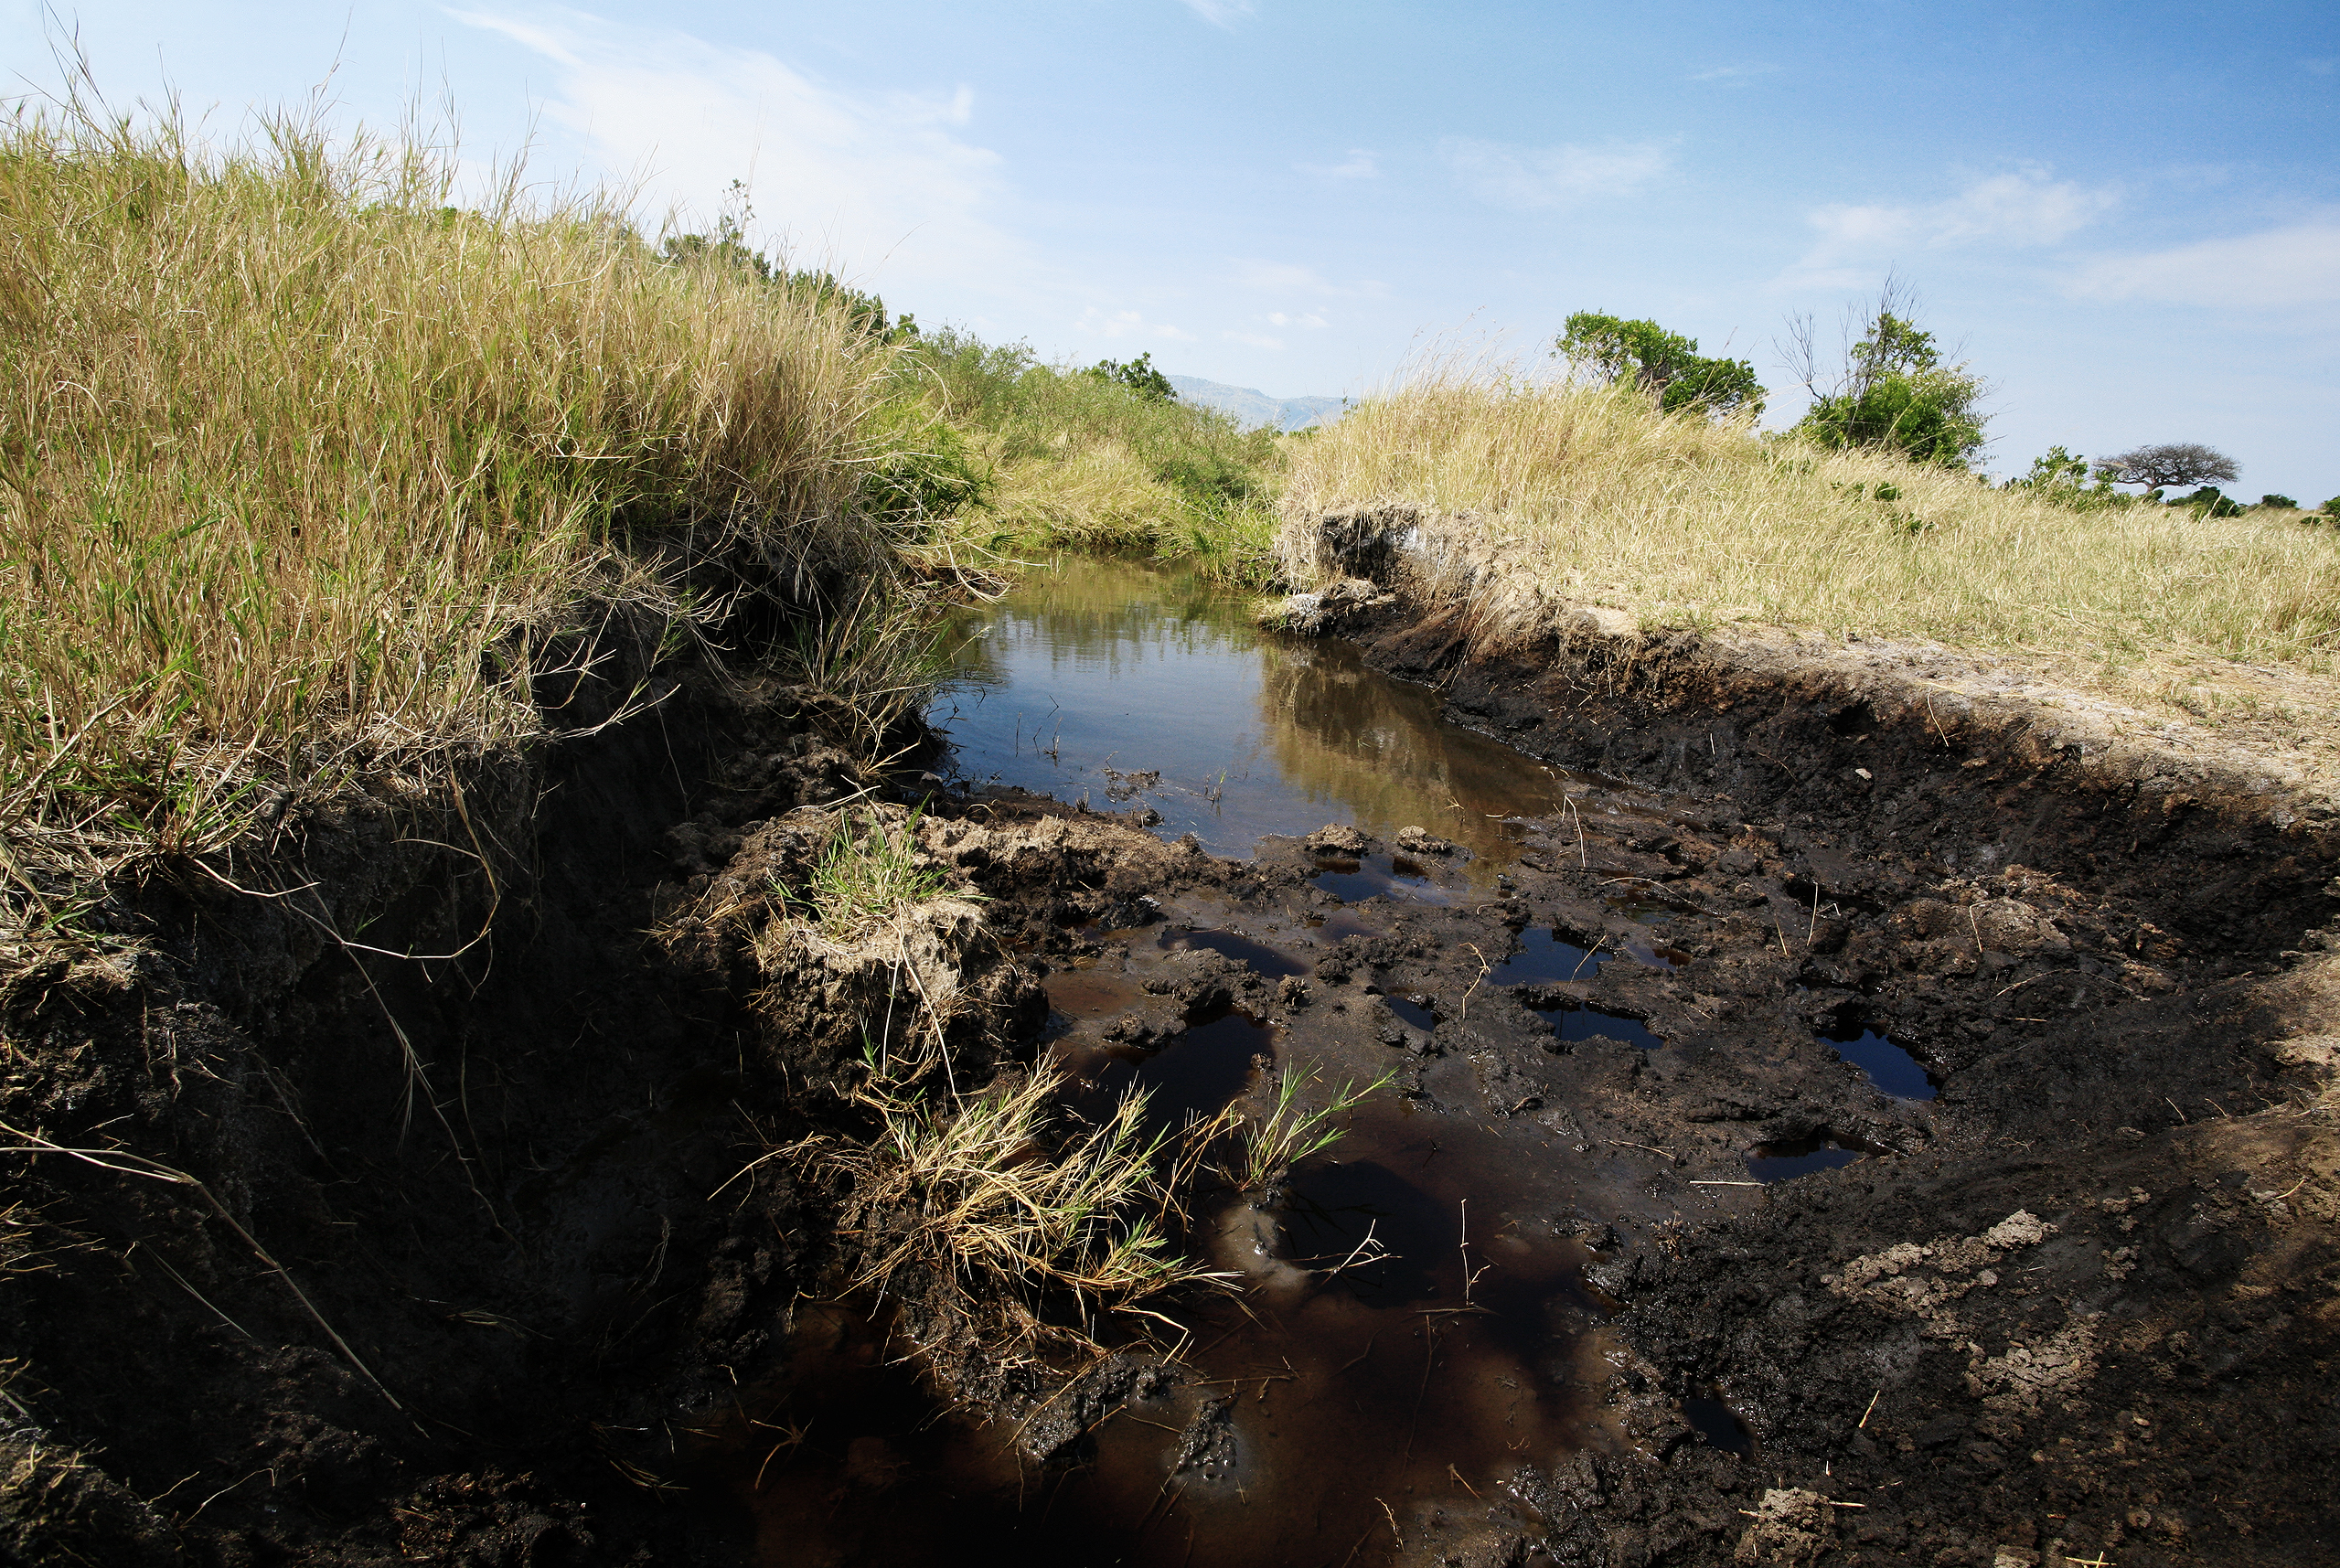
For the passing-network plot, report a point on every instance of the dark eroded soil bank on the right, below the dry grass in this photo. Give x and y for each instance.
(2095, 1314)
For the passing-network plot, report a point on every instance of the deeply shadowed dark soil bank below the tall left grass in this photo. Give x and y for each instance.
(432, 1260)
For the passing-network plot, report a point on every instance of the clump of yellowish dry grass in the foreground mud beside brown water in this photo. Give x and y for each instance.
(996, 1197)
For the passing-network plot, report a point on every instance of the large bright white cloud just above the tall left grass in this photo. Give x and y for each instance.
(851, 181)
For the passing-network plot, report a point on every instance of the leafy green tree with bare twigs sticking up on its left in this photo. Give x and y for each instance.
(1894, 392)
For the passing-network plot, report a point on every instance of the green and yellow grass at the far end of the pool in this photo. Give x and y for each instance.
(1078, 462)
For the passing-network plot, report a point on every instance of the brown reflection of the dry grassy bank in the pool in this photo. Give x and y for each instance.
(1351, 736)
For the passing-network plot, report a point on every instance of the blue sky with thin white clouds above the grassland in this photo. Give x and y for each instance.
(2128, 216)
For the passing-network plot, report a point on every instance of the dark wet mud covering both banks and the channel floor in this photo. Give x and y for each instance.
(1543, 1302)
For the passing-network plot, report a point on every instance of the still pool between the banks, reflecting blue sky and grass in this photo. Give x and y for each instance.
(1106, 666)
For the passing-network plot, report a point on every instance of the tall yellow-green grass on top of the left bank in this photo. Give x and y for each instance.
(298, 465)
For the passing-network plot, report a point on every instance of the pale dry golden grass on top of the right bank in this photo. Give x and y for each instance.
(1592, 497)
